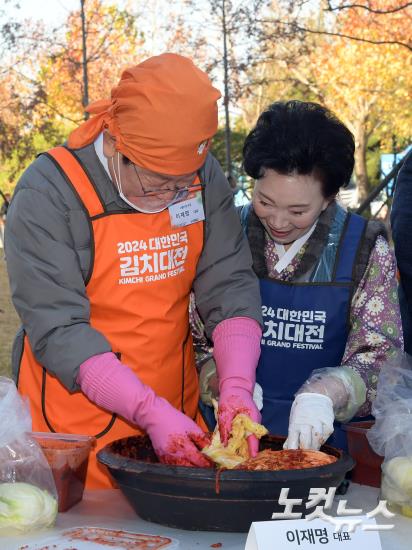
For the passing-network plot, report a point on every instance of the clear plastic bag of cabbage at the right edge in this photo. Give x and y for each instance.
(391, 435)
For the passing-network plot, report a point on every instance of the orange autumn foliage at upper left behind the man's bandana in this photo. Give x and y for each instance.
(112, 45)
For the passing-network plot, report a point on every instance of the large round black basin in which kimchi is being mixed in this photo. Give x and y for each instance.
(207, 499)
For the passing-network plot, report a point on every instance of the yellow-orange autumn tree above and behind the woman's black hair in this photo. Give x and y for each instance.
(365, 80)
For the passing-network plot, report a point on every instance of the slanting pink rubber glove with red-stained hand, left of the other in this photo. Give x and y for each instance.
(175, 437)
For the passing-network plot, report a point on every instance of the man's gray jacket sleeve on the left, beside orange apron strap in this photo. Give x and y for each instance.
(46, 279)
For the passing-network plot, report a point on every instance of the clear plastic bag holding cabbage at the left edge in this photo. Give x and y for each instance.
(28, 496)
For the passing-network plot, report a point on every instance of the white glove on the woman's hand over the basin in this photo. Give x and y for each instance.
(310, 421)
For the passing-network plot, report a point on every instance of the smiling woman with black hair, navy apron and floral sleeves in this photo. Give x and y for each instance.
(327, 278)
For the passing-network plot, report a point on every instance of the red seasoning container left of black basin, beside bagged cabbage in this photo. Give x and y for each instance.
(68, 457)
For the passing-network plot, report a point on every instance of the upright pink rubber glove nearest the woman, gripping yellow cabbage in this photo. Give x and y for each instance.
(236, 351)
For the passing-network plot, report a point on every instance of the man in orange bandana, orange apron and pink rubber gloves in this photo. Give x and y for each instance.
(105, 239)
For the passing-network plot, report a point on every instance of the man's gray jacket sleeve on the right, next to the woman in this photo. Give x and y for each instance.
(225, 284)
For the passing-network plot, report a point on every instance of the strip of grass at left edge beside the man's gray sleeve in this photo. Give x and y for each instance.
(8, 320)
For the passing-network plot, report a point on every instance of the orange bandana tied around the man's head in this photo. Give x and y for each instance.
(162, 114)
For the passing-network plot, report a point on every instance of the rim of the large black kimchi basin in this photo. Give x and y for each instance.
(110, 459)
